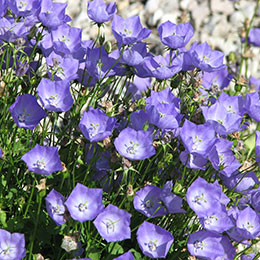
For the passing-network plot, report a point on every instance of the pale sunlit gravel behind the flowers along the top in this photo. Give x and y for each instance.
(219, 22)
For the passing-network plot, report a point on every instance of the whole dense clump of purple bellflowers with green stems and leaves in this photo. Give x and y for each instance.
(136, 155)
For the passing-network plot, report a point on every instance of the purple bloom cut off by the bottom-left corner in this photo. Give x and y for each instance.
(12, 246)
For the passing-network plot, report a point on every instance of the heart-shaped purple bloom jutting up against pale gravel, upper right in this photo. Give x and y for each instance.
(175, 36)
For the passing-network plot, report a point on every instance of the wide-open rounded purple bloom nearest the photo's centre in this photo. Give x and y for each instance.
(135, 145)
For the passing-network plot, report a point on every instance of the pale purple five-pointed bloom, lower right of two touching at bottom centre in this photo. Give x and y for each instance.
(113, 224)
